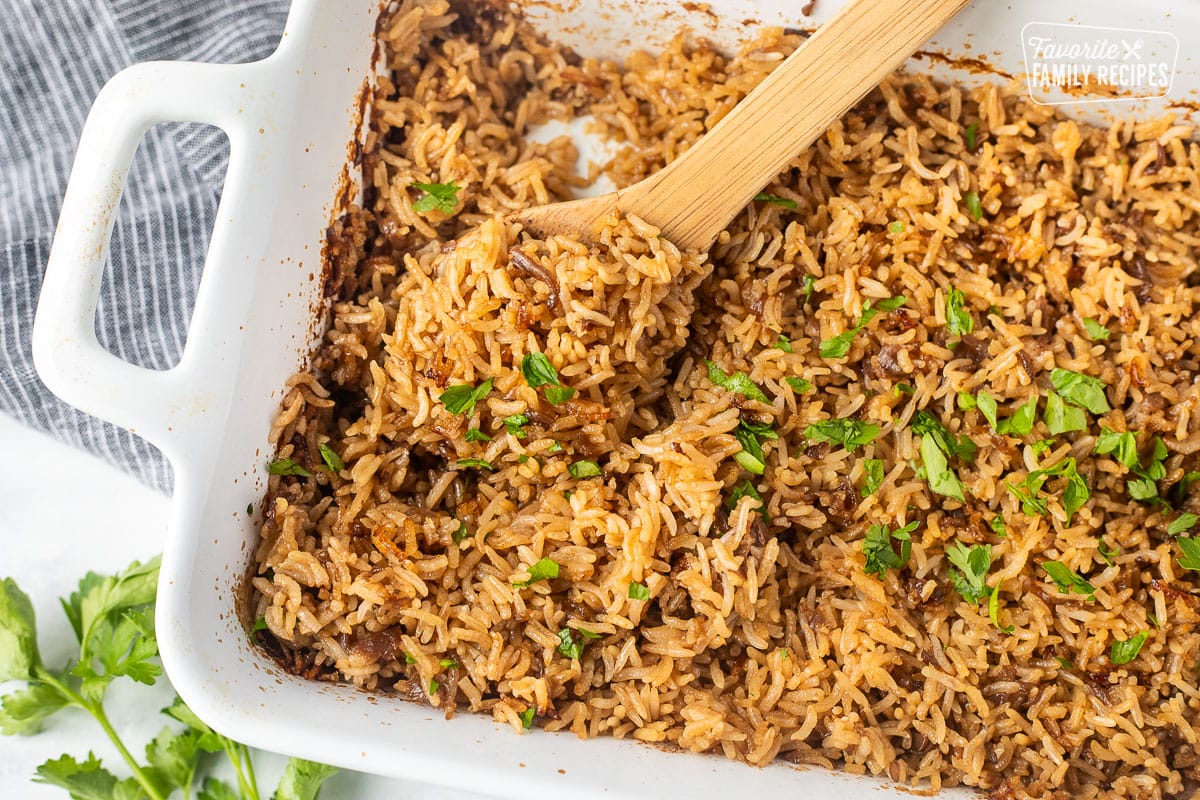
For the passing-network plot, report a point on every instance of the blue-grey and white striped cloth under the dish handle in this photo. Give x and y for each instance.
(55, 57)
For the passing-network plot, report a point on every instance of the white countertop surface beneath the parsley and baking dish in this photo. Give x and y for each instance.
(49, 540)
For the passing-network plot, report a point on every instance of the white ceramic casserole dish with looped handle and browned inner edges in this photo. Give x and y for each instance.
(290, 119)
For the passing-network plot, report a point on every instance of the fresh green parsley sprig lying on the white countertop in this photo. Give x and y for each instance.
(113, 621)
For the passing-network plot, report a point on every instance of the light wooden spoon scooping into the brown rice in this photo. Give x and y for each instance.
(697, 196)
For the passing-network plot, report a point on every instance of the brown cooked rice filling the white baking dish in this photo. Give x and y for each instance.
(760, 641)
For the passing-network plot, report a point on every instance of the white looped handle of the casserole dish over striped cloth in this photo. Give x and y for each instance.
(68, 356)
